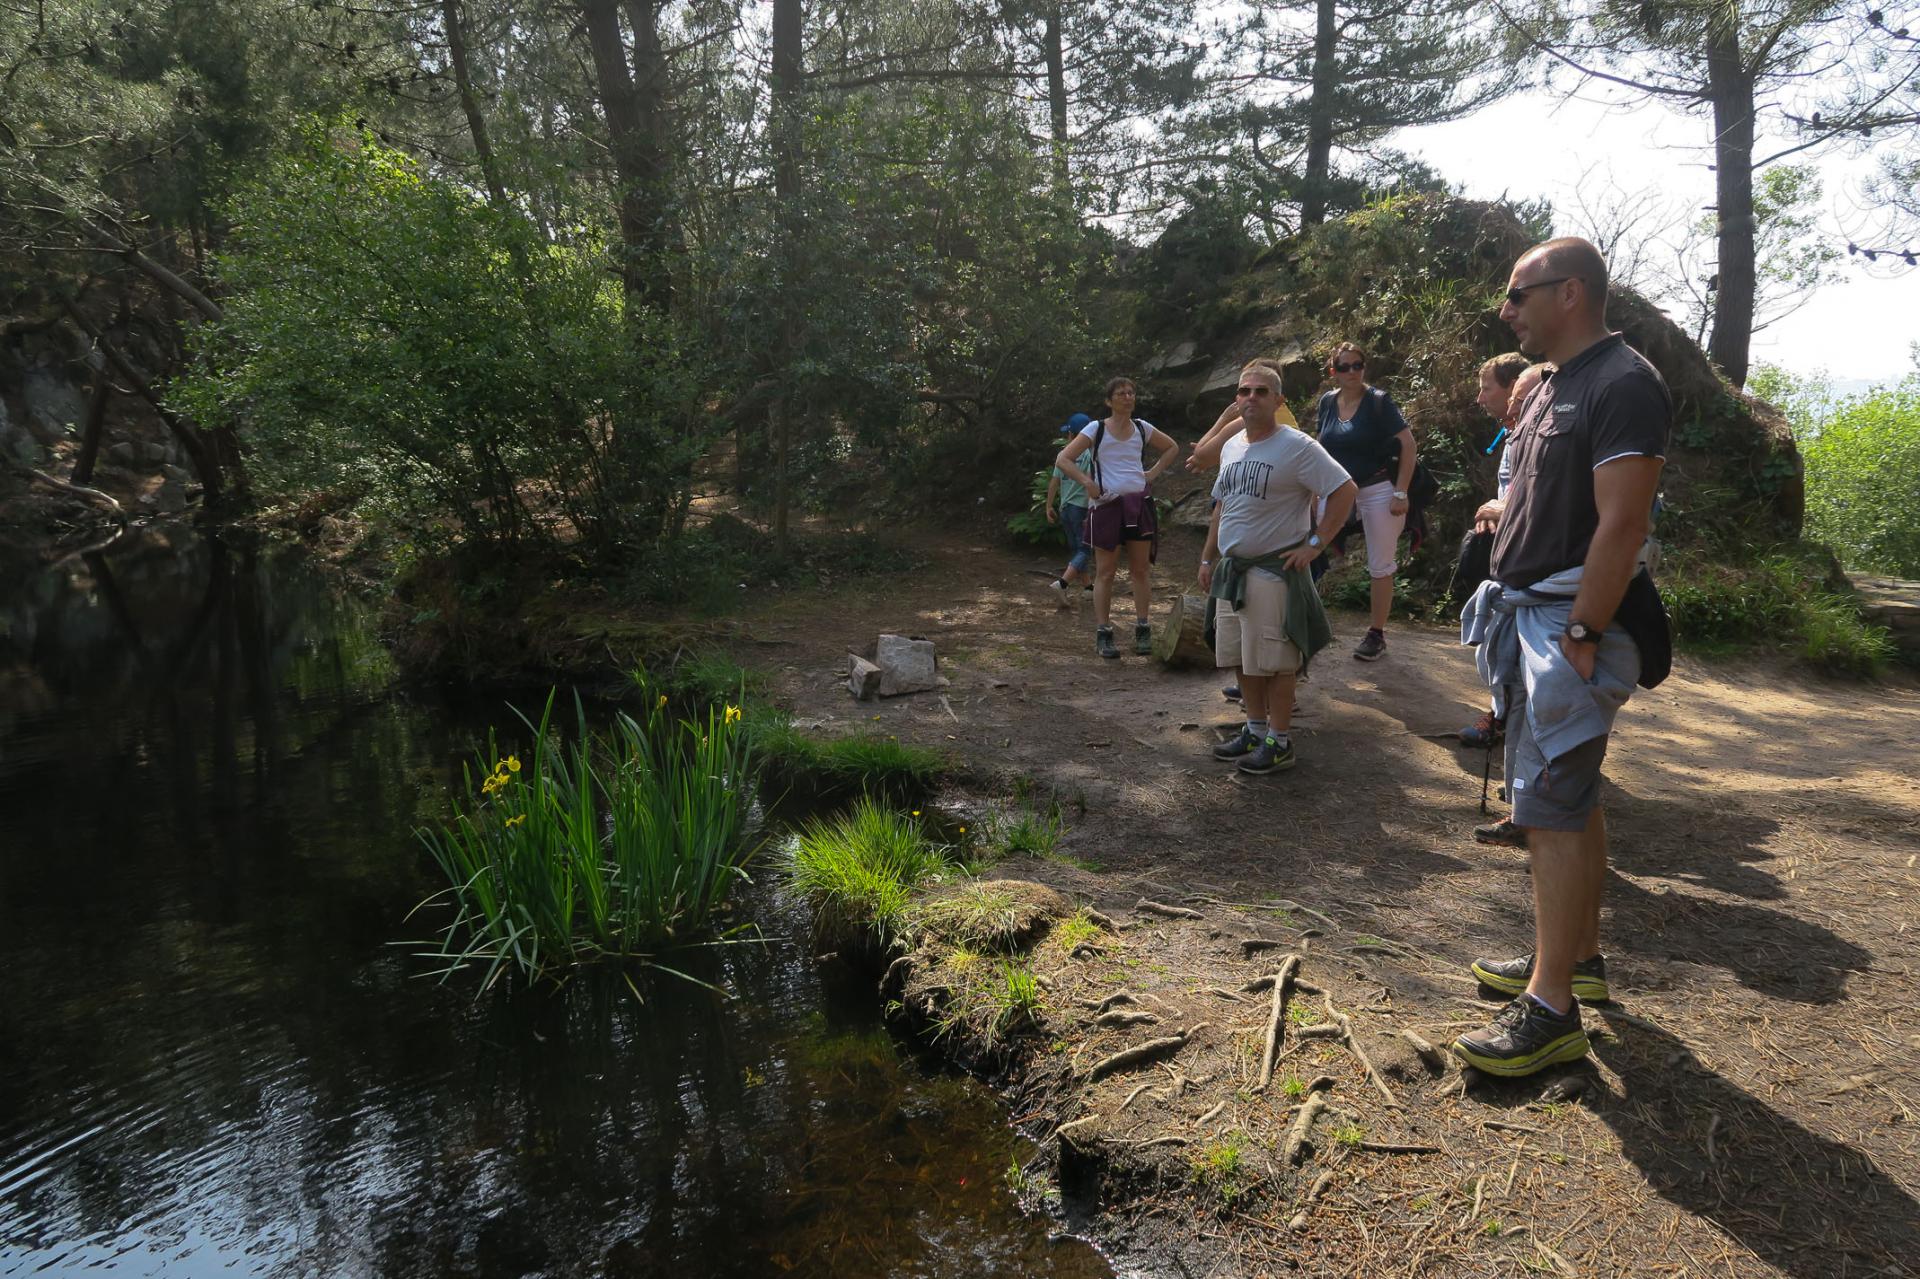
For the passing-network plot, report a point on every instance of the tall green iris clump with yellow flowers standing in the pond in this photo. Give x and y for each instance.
(615, 844)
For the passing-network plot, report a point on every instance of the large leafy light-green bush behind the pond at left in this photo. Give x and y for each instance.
(395, 337)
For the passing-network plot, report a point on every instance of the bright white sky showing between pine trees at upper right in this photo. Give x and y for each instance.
(1547, 143)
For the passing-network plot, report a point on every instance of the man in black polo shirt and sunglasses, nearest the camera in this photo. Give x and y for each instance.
(1568, 625)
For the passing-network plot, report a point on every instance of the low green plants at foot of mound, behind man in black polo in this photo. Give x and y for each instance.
(1777, 598)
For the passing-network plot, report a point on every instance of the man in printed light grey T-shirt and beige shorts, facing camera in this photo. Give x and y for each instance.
(1257, 564)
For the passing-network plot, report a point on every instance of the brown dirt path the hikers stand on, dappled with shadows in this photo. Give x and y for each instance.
(1756, 1103)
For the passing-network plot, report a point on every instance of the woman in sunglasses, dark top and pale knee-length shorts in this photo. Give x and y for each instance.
(1364, 431)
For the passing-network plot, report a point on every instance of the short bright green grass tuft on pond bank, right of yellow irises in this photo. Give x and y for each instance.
(861, 869)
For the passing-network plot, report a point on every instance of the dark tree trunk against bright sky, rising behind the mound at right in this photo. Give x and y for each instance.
(1733, 151)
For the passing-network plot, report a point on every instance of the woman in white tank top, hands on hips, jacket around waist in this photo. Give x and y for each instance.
(1120, 508)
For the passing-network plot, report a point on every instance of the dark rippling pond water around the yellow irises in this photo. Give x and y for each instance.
(214, 1059)
